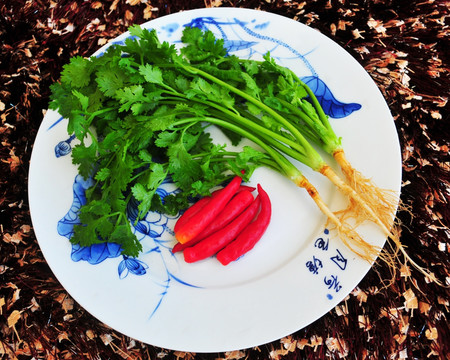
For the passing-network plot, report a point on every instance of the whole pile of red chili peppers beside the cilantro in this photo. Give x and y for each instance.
(227, 224)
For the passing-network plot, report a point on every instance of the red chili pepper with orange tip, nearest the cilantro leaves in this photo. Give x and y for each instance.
(200, 220)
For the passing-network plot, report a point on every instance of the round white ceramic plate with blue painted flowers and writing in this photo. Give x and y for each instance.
(296, 273)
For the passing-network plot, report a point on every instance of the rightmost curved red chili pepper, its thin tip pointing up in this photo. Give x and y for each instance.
(251, 234)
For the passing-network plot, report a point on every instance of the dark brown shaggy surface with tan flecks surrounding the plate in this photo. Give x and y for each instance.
(402, 44)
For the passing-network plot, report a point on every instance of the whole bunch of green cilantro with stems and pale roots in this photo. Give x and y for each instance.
(141, 113)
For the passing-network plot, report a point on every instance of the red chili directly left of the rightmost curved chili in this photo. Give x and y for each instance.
(217, 241)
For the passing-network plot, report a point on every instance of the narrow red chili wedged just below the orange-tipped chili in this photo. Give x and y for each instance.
(235, 206)
